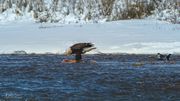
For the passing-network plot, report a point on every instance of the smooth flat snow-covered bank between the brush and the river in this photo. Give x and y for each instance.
(126, 36)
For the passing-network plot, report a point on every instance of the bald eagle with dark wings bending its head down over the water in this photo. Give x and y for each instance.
(78, 49)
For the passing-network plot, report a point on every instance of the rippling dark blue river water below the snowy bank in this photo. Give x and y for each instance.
(112, 78)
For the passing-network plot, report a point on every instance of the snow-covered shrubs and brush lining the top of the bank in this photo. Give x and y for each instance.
(88, 11)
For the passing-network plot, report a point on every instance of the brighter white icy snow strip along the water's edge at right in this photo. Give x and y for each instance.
(146, 48)
